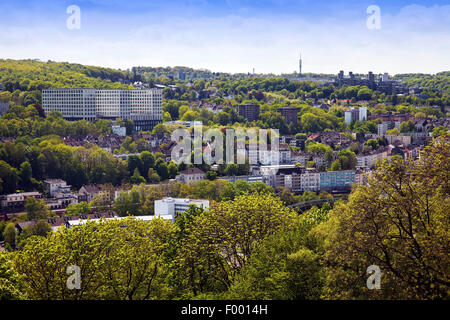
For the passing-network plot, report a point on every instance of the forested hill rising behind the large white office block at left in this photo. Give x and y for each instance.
(23, 80)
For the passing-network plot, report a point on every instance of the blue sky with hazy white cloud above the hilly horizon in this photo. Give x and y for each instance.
(233, 35)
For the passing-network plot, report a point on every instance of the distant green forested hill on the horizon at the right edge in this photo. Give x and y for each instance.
(440, 81)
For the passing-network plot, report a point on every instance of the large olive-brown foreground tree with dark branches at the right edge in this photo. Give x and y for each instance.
(398, 222)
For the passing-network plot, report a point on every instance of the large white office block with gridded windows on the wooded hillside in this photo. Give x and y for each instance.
(144, 107)
